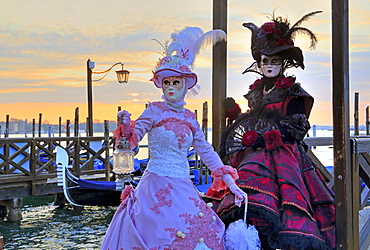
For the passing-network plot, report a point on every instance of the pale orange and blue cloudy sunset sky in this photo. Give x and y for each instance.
(44, 46)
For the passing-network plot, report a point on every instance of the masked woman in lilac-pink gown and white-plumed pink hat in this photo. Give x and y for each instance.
(165, 211)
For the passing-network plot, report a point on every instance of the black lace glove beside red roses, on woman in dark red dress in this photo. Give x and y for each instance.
(294, 127)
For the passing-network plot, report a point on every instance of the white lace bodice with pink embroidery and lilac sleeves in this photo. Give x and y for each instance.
(171, 133)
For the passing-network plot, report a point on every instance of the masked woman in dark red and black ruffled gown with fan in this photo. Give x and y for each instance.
(289, 201)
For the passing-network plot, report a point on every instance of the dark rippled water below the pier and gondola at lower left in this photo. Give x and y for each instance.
(45, 226)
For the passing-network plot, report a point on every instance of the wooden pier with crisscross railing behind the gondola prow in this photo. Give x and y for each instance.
(27, 166)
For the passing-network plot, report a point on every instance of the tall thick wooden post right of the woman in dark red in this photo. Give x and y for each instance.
(345, 179)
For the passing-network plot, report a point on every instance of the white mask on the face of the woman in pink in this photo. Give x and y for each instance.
(173, 88)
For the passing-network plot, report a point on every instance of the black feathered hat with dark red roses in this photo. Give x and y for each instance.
(277, 37)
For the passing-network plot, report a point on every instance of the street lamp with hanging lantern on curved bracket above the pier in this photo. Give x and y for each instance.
(122, 77)
